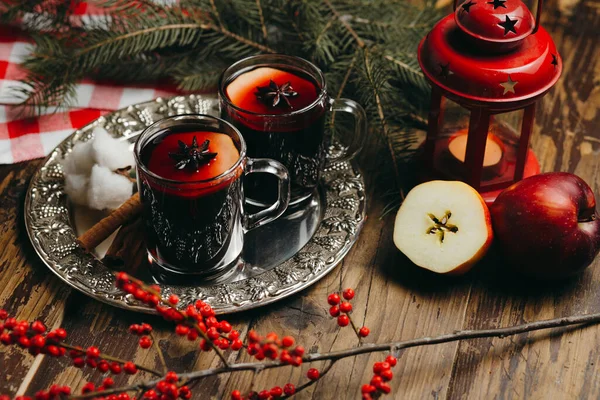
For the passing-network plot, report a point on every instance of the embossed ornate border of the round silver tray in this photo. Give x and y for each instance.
(283, 257)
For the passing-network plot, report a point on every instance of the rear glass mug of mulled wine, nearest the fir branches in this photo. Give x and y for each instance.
(280, 103)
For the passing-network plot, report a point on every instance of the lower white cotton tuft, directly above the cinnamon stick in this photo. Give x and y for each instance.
(107, 190)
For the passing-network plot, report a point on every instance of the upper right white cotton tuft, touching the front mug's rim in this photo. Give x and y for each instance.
(110, 152)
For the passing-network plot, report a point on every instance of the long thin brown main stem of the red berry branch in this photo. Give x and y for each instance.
(372, 348)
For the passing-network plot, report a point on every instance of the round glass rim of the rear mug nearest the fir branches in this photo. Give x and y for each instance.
(319, 98)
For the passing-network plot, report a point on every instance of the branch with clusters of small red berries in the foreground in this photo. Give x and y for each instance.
(199, 320)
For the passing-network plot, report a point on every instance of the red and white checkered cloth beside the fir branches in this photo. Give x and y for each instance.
(27, 138)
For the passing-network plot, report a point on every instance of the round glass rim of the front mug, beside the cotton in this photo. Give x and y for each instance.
(137, 150)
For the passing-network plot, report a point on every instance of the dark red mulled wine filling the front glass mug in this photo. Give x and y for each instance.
(195, 229)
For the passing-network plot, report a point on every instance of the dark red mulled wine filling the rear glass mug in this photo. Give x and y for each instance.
(281, 115)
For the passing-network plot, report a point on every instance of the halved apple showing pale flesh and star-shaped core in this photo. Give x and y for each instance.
(443, 226)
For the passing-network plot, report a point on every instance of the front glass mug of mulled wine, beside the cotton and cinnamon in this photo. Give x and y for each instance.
(190, 170)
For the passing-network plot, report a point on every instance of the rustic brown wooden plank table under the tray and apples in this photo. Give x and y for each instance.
(397, 301)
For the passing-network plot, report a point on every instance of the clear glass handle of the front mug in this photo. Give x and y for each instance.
(283, 194)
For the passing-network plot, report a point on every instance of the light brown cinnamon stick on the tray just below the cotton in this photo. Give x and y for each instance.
(103, 229)
